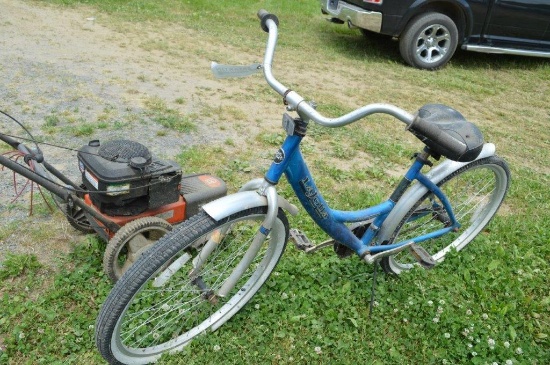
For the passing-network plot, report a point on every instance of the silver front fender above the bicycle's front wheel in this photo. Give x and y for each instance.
(230, 204)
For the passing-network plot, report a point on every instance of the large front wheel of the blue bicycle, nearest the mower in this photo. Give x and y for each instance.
(170, 294)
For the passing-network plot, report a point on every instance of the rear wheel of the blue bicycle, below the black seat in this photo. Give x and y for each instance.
(475, 192)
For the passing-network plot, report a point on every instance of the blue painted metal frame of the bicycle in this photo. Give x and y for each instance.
(290, 162)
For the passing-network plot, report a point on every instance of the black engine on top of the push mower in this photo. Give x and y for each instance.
(123, 178)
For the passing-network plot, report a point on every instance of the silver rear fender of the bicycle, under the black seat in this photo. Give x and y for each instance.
(418, 190)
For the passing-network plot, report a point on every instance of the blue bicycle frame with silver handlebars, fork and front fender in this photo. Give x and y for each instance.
(289, 161)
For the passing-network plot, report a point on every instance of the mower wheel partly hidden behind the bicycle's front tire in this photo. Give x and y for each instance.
(130, 241)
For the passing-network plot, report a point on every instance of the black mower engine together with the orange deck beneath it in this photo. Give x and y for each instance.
(124, 182)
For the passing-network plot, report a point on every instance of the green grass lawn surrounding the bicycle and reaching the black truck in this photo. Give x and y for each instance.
(488, 304)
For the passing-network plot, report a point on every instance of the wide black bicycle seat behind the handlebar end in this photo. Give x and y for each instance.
(447, 133)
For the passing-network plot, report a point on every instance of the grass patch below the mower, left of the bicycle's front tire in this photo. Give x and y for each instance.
(48, 315)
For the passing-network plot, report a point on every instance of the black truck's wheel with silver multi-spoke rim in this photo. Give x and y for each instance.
(429, 41)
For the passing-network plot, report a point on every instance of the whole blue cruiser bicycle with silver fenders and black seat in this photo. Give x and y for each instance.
(199, 275)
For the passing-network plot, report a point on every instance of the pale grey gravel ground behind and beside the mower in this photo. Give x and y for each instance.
(66, 64)
